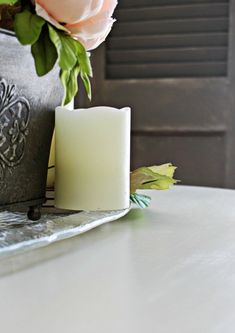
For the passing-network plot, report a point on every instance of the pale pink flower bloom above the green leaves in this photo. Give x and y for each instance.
(89, 21)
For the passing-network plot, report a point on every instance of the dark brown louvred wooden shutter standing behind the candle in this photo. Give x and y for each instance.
(173, 62)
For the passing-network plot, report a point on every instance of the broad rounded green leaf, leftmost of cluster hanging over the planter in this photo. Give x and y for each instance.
(28, 27)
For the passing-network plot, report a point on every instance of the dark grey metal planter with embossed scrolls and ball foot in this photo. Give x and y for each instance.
(27, 105)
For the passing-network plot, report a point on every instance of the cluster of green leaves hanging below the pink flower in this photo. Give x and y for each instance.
(49, 45)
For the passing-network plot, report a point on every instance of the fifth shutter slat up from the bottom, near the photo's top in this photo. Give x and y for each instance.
(172, 12)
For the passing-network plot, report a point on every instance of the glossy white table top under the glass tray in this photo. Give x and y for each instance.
(167, 269)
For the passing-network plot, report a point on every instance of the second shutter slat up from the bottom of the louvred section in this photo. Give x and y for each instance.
(167, 55)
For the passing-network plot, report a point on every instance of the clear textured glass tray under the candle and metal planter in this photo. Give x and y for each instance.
(18, 234)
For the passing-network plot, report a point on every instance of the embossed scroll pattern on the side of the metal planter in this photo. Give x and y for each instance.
(14, 121)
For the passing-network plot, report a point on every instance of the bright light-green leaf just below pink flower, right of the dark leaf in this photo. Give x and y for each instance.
(65, 48)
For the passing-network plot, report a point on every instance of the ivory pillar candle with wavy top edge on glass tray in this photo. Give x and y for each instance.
(92, 158)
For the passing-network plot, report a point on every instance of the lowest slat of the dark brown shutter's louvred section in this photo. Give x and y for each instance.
(166, 70)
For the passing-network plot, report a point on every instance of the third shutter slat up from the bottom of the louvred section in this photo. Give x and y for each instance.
(162, 41)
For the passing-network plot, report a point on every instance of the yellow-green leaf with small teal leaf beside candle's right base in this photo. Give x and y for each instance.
(157, 177)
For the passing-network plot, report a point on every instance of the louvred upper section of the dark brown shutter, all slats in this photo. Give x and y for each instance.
(157, 39)
